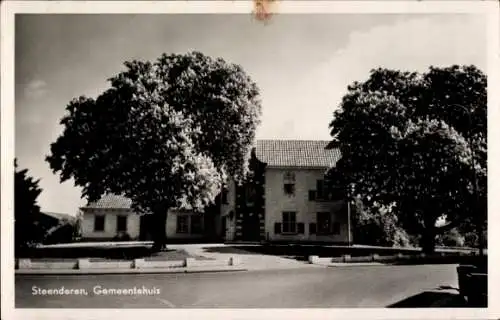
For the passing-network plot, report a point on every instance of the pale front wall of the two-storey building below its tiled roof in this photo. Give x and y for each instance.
(277, 202)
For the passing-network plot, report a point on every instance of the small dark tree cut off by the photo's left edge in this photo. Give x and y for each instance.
(26, 210)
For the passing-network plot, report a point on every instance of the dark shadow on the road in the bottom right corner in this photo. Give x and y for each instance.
(431, 299)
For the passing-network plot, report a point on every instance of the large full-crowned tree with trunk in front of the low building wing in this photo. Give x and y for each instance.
(167, 134)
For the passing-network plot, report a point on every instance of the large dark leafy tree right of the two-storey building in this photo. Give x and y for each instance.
(406, 140)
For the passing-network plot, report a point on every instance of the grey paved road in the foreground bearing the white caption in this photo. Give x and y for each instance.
(370, 286)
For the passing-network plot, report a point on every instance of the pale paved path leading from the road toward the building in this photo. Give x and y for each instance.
(249, 260)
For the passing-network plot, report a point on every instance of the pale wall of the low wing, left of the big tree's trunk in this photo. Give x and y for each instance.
(109, 224)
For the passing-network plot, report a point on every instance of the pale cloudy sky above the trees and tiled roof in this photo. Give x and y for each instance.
(301, 63)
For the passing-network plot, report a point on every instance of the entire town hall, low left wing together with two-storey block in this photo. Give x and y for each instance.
(284, 199)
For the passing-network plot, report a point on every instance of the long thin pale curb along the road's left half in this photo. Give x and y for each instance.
(125, 271)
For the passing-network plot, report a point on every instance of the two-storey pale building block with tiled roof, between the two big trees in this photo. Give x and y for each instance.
(287, 199)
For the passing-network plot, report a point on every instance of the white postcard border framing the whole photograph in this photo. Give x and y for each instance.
(9, 8)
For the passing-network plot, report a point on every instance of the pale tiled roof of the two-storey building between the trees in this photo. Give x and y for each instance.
(297, 153)
